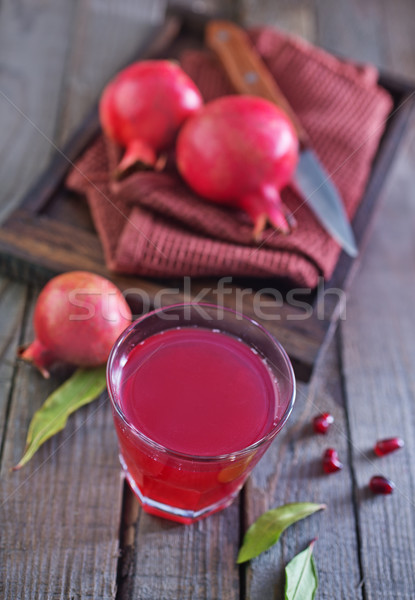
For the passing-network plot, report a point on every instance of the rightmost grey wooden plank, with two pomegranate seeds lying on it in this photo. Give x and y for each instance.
(378, 372)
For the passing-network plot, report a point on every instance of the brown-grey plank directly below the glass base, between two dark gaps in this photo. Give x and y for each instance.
(190, 562)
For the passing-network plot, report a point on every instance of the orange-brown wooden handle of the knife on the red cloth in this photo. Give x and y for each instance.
(245, 68)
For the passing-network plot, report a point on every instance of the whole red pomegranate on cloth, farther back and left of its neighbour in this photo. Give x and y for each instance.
(143, 107)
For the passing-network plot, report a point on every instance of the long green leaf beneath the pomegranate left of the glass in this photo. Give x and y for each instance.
(80, 389)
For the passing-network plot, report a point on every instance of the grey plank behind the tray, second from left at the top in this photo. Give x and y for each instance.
(106, 37)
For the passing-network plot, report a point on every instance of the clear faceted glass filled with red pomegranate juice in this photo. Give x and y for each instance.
(198, 393)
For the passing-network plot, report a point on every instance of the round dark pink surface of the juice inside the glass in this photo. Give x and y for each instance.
(198, 392)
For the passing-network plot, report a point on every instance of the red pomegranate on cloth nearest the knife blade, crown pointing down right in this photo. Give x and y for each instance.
(240, 151)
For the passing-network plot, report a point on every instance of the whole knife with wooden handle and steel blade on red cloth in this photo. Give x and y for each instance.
(249, 75)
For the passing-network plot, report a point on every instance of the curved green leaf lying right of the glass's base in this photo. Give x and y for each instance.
(266, 530)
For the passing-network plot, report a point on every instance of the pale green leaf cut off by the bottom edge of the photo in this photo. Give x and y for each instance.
(301, 579)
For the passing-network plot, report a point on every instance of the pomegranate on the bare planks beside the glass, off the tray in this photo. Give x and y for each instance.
(78, 317)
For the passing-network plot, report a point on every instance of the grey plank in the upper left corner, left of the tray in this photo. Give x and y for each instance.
(33, 45)
